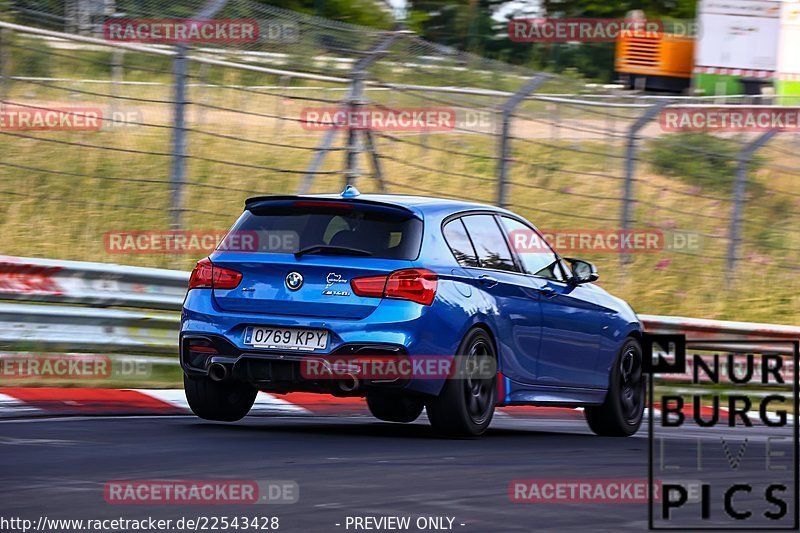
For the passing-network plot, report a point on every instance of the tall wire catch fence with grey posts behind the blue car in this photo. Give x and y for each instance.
(190, 130)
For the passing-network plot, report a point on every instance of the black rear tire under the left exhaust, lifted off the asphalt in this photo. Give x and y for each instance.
(225, 401)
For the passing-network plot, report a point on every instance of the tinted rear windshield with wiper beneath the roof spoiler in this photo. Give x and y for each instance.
(366, 232)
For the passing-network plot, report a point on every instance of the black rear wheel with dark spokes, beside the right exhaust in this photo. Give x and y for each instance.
(465, 406)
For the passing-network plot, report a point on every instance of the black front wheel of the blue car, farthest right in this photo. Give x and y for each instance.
(622, 412)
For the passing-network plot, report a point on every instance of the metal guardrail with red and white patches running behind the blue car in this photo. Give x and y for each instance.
(93, 327)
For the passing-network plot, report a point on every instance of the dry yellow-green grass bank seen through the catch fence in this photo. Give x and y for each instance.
(65, 213)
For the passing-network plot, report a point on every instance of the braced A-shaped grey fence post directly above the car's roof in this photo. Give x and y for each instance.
(355, 98)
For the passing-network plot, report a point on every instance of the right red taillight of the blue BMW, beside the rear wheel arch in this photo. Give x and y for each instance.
(414, 284)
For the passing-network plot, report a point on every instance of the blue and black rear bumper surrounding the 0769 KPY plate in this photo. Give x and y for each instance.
(395, 328)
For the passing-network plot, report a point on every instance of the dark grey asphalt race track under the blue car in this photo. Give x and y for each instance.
(345, 466)
